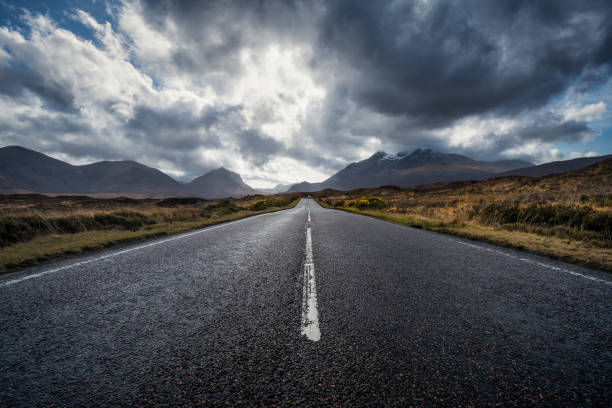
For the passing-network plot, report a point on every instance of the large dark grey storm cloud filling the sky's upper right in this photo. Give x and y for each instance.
(467, 57)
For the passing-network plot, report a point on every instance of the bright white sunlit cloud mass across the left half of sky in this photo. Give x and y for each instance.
(123, 98)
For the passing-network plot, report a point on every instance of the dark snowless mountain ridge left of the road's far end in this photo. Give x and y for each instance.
(25, 170)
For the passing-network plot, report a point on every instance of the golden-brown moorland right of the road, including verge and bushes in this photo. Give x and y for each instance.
(566, 216)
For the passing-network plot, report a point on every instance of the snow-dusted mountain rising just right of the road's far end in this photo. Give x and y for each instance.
(410, 169)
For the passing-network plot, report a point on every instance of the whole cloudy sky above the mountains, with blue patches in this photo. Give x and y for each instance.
(291, 91)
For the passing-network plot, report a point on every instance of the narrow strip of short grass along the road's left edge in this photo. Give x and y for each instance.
(55, 246)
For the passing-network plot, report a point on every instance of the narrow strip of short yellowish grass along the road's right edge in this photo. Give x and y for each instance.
(573, 251)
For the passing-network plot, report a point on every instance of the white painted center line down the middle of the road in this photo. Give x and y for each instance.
(310, 314)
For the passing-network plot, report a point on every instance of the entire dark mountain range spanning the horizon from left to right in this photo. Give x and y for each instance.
(25, 171)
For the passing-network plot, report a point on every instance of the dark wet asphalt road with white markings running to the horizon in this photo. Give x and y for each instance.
(306, 307)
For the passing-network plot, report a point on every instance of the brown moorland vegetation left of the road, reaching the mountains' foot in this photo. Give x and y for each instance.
(36, 228)
